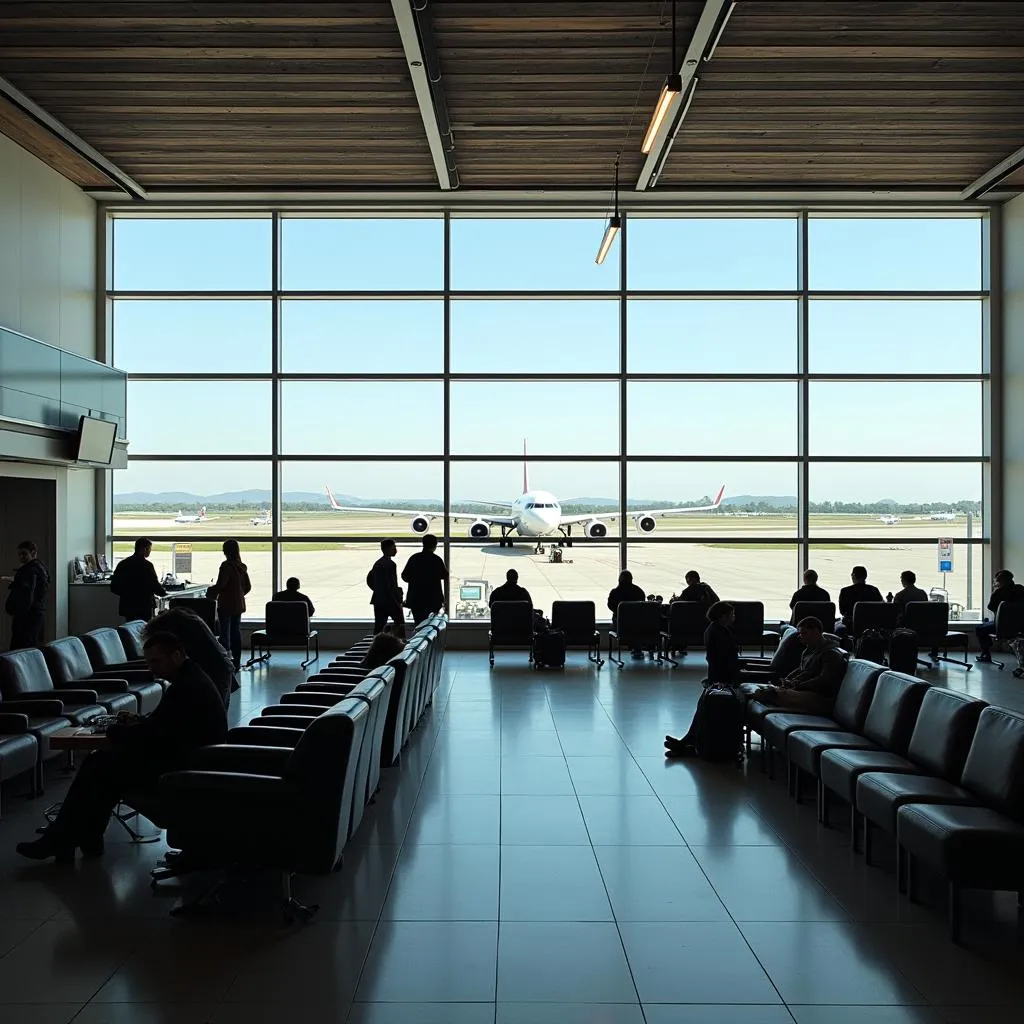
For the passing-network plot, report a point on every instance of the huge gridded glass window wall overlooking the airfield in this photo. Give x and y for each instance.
(745, 396)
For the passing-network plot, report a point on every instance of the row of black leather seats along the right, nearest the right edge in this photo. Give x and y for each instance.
(941, 771)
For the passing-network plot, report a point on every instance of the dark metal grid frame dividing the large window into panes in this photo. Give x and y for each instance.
(803, 540)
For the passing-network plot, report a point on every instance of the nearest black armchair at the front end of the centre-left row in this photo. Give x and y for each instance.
(297, 822)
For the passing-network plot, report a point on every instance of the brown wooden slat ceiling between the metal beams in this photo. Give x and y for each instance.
(542, 95)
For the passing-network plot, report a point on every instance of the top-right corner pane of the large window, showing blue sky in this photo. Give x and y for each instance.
(890, 254)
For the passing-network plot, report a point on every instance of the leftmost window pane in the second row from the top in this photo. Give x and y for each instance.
(195, 337)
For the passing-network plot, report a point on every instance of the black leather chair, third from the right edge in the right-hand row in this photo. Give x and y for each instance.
(888, 727)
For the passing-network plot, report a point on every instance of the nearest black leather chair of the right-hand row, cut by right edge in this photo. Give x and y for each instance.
(974, 847)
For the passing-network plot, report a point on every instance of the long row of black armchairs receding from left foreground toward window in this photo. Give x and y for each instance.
(287, 792)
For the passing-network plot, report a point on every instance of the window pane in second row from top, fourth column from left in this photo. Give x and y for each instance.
(712, 336)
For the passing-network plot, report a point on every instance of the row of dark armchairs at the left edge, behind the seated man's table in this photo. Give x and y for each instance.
(64, 684)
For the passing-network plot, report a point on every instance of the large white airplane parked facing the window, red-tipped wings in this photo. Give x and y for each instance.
(534, 515)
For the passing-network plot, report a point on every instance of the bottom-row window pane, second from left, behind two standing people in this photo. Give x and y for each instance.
(333, 576)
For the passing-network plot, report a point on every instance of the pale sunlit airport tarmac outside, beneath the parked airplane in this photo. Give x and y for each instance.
(333, 573)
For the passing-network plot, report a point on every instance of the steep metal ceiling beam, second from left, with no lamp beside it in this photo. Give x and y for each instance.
(424, 68)
